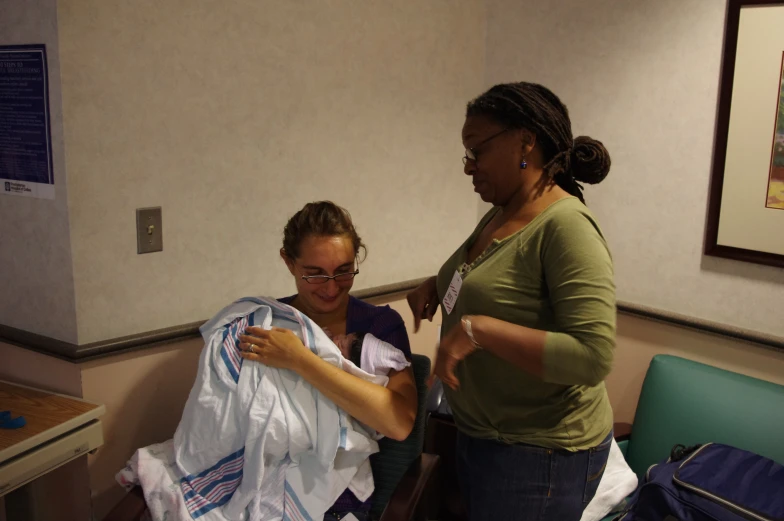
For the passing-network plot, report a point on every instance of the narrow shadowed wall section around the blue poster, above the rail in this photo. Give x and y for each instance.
(35, 246)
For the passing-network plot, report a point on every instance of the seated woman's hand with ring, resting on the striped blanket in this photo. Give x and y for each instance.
(276, 347)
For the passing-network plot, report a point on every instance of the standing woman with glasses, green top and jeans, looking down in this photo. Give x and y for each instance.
(528, 307)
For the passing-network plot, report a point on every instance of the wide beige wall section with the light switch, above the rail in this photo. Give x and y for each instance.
(232, 115)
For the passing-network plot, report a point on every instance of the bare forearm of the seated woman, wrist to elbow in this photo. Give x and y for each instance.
(389, 410)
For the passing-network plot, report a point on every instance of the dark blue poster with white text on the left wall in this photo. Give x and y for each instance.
(25, 136)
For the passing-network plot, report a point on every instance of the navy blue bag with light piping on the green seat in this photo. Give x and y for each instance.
(710, 482)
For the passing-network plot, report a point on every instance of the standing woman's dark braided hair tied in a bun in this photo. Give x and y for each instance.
(535, 108)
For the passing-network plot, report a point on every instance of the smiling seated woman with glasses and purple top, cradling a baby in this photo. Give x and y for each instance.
(321, 250)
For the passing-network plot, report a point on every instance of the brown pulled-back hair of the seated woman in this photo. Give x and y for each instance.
(321, 218)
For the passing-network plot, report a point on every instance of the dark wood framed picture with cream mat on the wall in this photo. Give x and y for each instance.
(746, 204)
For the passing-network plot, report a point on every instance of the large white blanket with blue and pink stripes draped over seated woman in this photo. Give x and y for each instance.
(256, 443)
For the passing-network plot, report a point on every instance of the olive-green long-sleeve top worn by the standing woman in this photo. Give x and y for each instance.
(554, 275)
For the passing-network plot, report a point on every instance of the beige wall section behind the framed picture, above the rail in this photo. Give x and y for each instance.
(643, 77)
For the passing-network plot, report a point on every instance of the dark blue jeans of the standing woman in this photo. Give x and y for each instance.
(527, 483)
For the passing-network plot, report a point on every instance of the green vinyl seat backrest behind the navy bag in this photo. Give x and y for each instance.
(688, 403)
